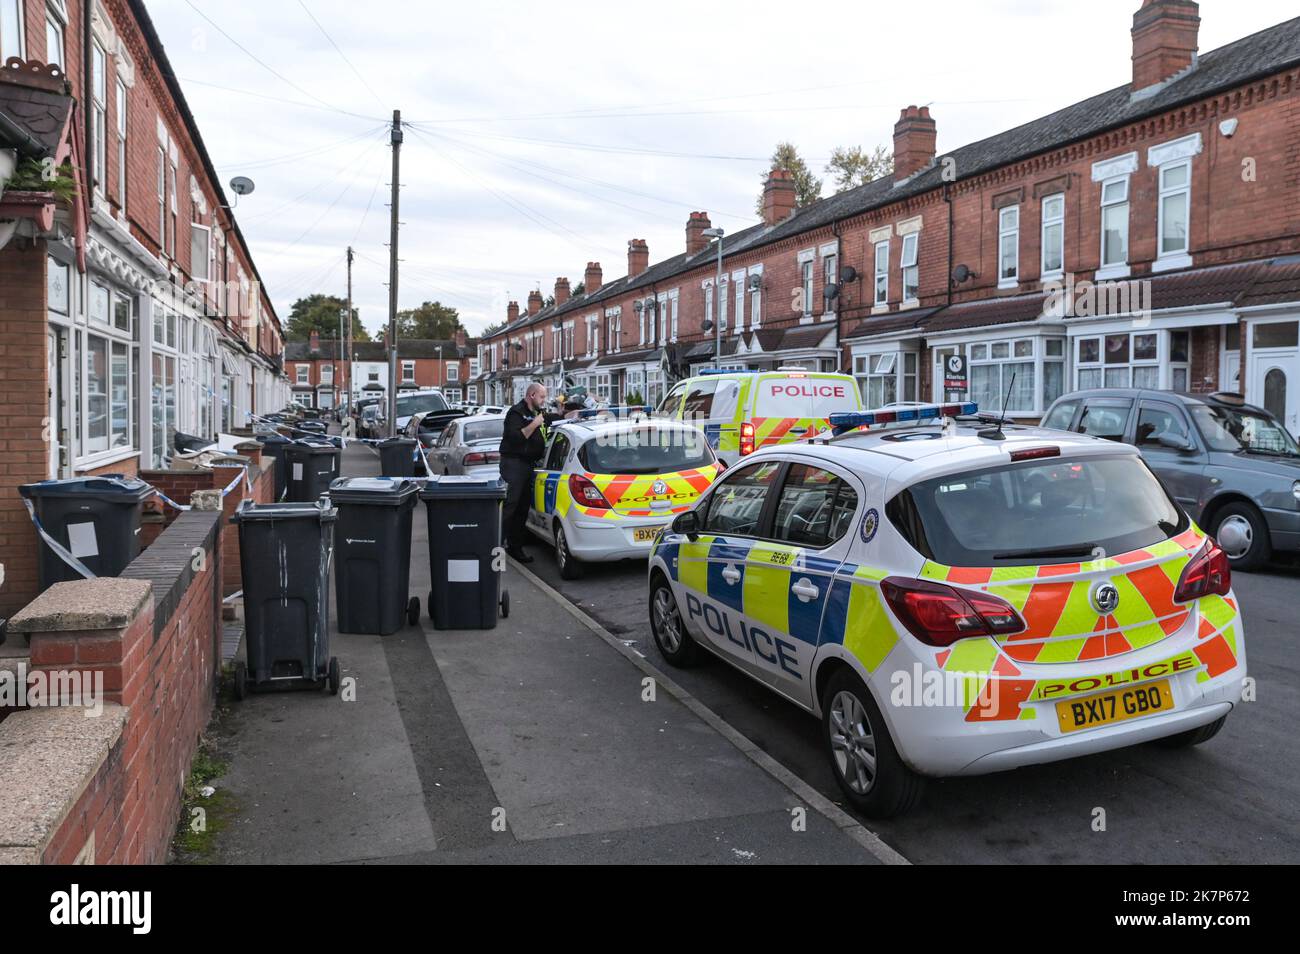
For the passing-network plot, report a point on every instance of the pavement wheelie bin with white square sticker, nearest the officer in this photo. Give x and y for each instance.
(465, 534)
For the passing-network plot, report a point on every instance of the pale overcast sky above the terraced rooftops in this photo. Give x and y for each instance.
(547, 136)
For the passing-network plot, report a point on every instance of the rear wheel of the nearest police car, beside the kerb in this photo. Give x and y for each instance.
(864, 758)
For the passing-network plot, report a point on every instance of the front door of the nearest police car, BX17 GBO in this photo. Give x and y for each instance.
(712, 569)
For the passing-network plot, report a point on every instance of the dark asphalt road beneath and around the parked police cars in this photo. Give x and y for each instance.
(1234, 800)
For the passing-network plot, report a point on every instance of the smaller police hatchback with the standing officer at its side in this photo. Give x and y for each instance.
(612, 482)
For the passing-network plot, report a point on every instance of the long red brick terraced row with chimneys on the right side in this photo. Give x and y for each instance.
(1146, 237)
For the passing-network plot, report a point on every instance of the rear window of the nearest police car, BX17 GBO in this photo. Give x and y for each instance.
(1038, 513)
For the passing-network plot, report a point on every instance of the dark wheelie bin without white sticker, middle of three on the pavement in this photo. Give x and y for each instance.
(372, 554)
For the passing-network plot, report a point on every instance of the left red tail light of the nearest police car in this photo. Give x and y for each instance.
(941, 615)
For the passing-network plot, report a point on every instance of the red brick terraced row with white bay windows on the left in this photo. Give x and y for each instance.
(131, 309)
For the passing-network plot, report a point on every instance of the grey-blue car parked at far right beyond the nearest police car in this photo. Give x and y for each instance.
(1232, 466)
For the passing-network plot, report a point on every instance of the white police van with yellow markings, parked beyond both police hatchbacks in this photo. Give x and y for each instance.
(742, 411)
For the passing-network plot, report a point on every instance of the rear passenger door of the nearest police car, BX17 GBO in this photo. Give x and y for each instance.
(790, 574)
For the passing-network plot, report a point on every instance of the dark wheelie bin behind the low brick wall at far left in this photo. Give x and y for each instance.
(97, 519)
